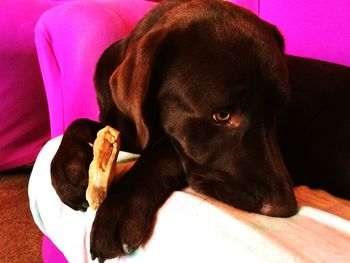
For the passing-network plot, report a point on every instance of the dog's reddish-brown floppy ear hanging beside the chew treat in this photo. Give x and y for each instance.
(130, 82)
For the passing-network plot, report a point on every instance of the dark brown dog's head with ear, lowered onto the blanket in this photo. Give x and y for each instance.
(212, 76)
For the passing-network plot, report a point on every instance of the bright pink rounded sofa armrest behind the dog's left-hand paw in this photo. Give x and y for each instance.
(69, 39)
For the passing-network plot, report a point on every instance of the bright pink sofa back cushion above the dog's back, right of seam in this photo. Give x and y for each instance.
(315, 28)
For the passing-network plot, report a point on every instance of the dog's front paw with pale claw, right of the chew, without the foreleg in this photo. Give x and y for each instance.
(123, 222)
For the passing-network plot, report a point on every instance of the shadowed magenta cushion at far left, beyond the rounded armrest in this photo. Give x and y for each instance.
(24, 126)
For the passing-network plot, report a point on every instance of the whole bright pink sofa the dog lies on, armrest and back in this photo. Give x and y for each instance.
(71, 37)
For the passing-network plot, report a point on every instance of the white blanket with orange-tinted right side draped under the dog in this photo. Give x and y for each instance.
(194, 228)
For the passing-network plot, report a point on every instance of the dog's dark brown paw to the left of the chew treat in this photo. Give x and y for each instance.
(69, 167)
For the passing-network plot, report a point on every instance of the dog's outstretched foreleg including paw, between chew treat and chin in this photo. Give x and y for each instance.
(126, 218)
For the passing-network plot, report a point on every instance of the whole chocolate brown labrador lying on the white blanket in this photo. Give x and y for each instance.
(203, 90)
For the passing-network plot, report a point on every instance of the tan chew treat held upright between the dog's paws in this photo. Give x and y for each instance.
(102, 169)
